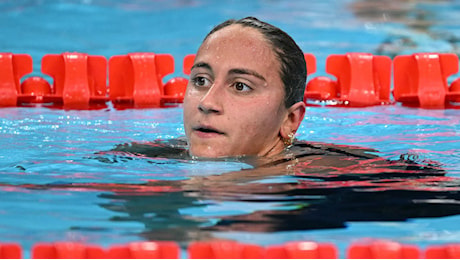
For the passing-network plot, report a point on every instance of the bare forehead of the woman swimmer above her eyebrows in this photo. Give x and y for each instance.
(239, 46)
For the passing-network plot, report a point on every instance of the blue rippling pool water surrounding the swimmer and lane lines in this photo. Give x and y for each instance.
(47, 149)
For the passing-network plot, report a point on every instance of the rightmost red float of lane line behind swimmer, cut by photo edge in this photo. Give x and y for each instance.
(421, 80)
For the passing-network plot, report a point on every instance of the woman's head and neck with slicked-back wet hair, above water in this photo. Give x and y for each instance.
(245, 93)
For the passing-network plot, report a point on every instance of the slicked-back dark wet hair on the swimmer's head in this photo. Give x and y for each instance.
(293, 67)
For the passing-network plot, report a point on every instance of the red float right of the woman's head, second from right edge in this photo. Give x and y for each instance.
(363, 79)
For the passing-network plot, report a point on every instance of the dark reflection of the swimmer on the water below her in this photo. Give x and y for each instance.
(305, 205)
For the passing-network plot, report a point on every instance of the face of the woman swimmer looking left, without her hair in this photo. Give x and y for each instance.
(234, 103)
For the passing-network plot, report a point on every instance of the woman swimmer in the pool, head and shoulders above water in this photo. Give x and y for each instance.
(244, 99)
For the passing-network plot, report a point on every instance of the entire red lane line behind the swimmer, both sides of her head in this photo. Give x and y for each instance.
(137, 80)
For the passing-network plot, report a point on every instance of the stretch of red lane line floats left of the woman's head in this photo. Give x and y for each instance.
(80, 80)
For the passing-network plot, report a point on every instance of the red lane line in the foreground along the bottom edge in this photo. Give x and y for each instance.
(366, 249)
